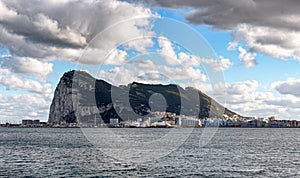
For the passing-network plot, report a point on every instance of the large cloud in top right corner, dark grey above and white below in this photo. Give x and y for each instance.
(270, 27)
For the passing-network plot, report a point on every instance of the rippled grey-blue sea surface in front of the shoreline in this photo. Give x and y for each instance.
(232, 152)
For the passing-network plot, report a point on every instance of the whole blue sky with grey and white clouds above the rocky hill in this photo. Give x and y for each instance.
(242, 53)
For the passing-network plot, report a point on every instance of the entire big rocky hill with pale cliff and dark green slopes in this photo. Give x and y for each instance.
(81, 98)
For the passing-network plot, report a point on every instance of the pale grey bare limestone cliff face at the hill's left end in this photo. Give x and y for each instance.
(65, 106)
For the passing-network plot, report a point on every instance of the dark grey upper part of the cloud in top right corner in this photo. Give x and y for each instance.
(226, 14)
